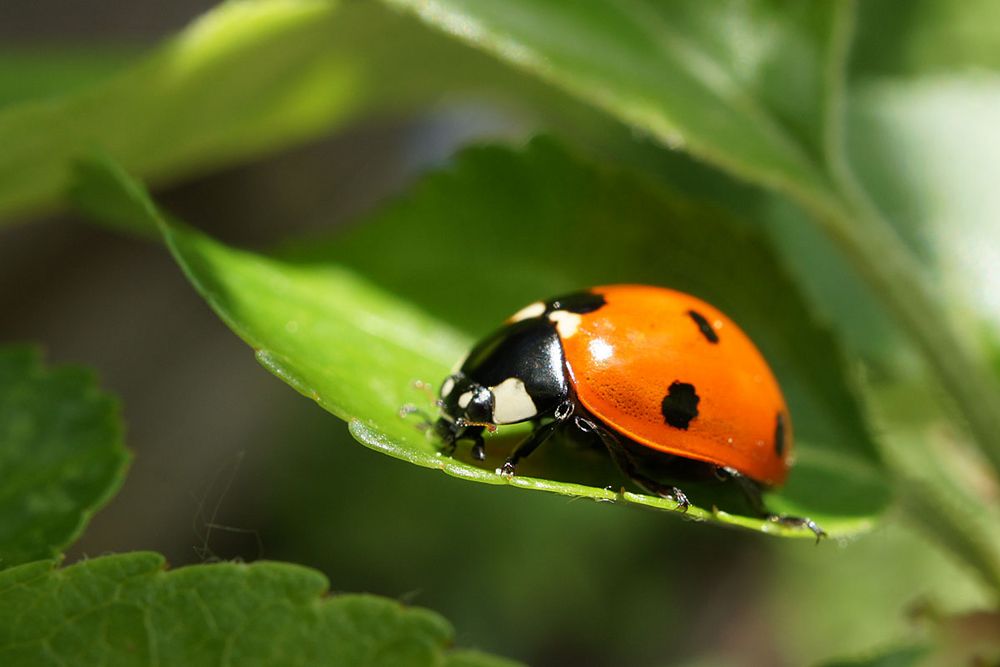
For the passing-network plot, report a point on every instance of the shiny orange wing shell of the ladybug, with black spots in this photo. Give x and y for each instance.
(624, 357)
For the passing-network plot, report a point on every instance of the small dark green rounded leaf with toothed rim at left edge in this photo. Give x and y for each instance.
(61, 454)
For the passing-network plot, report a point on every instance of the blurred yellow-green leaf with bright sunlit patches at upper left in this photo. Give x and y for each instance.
(247, 78)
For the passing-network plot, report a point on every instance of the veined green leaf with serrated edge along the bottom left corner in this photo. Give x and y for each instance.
(128, 610)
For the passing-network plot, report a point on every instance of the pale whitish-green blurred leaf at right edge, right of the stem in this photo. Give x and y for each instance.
(930, 151)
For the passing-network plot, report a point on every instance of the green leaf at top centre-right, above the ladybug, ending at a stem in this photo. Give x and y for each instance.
(747, 86)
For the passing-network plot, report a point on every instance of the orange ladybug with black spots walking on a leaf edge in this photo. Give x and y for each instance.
(661, 379)
